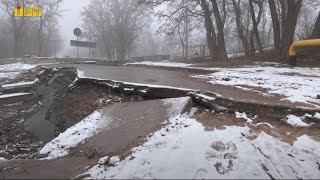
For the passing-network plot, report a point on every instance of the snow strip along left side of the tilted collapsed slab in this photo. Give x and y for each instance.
(75, 135)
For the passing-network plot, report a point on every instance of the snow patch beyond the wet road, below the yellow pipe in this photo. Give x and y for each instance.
(297, 84)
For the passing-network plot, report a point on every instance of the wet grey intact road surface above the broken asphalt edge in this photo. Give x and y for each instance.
(179, 79)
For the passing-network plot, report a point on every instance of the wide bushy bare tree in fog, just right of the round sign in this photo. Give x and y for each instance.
(115, 25)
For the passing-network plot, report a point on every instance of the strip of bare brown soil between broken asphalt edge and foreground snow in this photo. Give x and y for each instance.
(276, 127)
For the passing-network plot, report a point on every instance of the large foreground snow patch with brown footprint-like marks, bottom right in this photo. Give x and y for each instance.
(185, 150)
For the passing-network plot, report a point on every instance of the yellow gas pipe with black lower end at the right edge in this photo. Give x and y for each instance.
(298, 44)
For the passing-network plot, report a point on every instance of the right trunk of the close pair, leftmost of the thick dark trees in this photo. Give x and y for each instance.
(222, 53)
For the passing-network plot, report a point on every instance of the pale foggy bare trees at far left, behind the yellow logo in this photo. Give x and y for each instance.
(29, 35)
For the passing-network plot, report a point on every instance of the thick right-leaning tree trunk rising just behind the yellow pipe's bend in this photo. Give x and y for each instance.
(294, 8)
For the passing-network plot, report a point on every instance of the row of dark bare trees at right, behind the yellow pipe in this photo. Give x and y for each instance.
(254, 24)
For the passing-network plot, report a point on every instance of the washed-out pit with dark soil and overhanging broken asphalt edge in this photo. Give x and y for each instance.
(62, 99)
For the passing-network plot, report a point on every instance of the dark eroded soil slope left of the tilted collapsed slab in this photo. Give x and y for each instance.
(55, 108)
